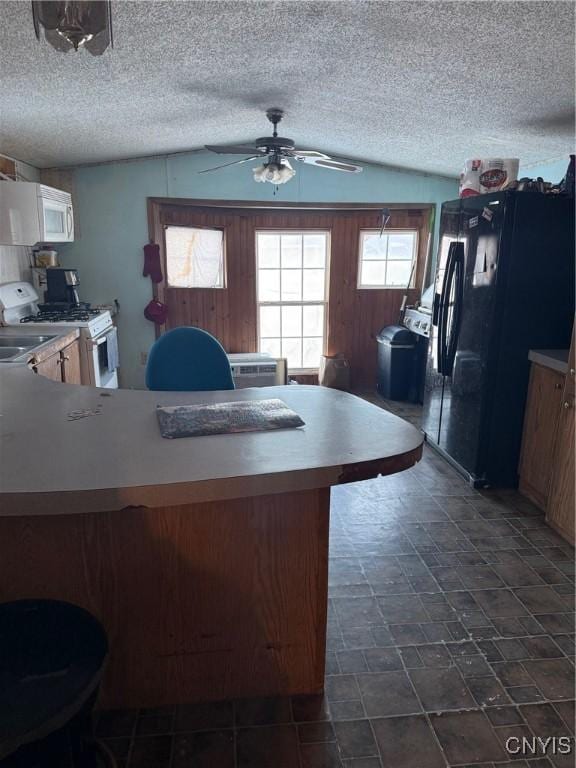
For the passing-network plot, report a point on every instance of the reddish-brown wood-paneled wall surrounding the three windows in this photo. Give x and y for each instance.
(354, 316)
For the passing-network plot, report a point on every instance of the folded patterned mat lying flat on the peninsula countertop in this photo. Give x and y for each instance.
(223, 418)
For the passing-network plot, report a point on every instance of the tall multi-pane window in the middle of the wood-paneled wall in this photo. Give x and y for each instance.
(291, 290)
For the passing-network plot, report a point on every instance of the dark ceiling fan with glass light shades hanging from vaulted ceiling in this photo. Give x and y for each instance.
(277, 152)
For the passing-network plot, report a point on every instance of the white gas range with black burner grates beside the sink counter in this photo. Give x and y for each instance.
(18, 302)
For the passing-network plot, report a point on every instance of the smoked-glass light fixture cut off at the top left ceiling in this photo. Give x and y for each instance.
(74, 25)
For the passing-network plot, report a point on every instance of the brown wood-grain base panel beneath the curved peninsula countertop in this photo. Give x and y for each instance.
(203, 601)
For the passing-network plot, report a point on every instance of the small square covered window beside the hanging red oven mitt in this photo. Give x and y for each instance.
(195, 257)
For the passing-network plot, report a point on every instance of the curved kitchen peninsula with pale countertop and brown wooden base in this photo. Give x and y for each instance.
(205, 558)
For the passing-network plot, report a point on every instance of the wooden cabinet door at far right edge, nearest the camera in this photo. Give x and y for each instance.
(560, 512)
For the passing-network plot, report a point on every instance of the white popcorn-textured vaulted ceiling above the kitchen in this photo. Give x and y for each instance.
(412, 84)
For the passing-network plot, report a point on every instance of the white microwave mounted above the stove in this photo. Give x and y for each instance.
(33, 213)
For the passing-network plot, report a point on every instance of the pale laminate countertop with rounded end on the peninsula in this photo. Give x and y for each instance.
(53, 462)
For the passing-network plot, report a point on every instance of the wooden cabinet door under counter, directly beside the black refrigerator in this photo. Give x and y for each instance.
(540, 421)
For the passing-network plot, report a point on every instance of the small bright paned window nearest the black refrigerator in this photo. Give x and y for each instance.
(388, 261)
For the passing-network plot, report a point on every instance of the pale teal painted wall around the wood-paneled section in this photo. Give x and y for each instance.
(111, 214)
